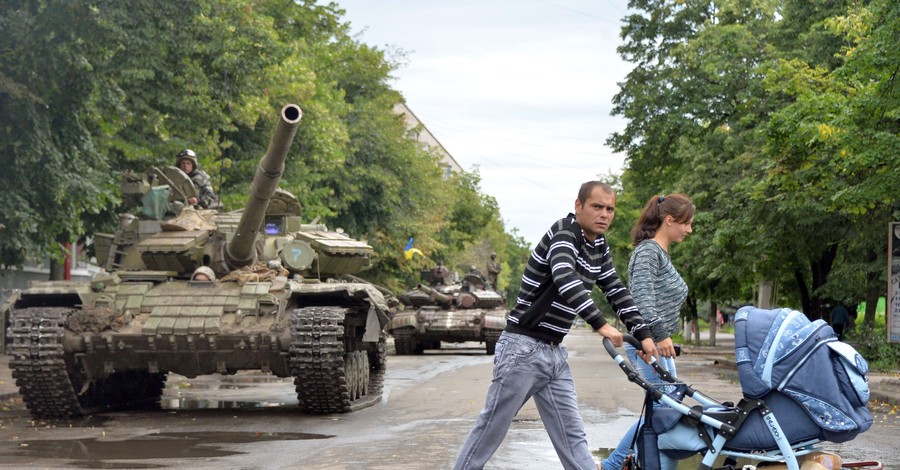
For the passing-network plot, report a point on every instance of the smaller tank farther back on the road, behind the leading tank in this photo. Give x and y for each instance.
(457, 312)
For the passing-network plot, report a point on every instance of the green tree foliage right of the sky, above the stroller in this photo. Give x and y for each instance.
(779, 118)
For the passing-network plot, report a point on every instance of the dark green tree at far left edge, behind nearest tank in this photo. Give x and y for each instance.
(48, 127)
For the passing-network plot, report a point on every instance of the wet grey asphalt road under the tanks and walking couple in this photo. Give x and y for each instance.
(429, 405)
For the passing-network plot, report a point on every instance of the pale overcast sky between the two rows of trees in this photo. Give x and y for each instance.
(519, 89)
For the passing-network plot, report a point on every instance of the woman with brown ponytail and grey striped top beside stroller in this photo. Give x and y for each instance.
(657, 288)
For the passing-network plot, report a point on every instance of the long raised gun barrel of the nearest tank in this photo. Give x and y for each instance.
(240, 251)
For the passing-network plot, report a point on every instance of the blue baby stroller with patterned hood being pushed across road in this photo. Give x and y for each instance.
(801, 386)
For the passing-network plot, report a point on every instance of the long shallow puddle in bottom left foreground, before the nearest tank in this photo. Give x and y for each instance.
(92, 453)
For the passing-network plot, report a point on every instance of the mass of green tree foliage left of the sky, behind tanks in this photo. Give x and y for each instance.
(92, 88)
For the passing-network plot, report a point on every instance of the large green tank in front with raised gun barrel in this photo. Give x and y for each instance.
(281, 300)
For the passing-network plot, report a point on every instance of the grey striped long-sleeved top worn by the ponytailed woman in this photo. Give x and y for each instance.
(657, 288)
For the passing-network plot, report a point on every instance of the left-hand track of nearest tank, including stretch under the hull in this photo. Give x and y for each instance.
(47, 383)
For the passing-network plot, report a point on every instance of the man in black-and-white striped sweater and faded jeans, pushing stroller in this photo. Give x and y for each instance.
(529, 360)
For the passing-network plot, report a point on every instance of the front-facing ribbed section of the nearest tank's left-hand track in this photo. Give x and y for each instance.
(38, 362)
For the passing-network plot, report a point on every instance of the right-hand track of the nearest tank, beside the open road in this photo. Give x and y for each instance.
(328, 377)
